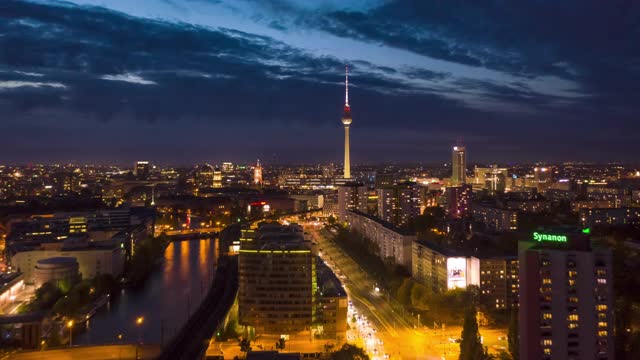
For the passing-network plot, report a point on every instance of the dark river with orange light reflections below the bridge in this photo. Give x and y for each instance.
(170, 294)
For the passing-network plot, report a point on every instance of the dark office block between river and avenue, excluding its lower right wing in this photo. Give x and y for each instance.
(277, 280)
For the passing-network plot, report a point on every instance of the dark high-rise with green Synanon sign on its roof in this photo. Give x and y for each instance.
(566, 297)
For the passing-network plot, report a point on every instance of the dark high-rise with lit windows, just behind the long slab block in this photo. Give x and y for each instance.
(397, 204)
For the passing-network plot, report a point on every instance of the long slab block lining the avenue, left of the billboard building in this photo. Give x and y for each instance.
(393, 244)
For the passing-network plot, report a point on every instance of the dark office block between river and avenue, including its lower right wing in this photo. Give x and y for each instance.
(285, 289)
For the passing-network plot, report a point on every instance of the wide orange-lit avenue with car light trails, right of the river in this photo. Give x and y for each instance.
(397, 336)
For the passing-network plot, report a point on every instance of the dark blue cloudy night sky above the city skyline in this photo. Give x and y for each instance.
(186, 81)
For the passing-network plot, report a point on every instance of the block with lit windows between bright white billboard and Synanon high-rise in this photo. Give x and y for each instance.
(499, 284)
